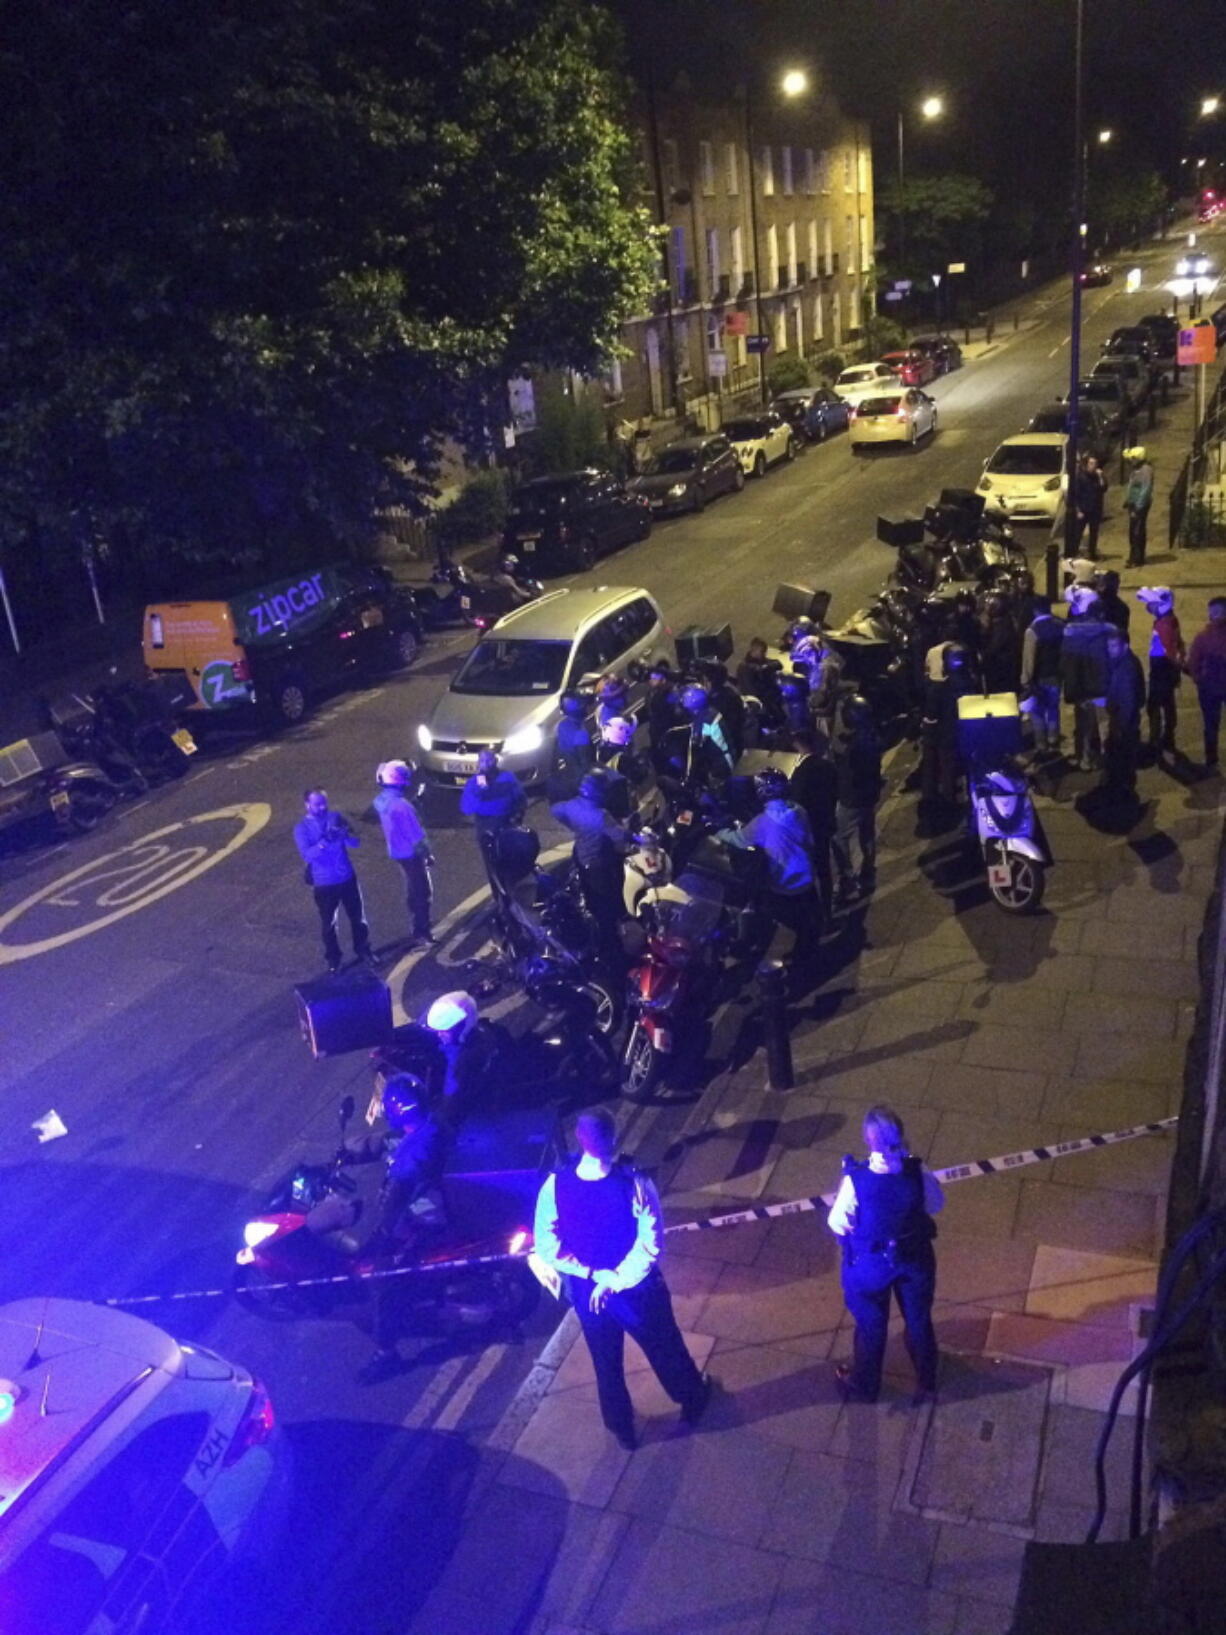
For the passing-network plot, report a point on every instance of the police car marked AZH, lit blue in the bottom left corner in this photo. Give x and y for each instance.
(138, 1472)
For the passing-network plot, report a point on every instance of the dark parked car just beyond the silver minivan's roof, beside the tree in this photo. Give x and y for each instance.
(565, 524)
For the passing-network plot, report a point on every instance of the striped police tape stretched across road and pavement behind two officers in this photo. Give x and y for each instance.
(764, 1212)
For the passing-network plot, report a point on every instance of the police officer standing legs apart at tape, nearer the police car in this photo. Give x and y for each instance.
(599, 1224)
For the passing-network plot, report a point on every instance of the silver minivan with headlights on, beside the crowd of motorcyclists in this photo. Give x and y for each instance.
(506, 694)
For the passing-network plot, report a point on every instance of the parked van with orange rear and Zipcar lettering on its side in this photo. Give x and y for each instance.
(267, 652)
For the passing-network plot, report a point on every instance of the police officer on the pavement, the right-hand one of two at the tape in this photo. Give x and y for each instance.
(884, 1216)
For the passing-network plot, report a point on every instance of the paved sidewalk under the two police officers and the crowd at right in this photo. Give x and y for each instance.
(789, 1512)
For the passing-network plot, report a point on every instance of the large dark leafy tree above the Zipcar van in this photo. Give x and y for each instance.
(259, 259)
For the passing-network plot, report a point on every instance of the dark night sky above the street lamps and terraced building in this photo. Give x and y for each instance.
(1005, 68)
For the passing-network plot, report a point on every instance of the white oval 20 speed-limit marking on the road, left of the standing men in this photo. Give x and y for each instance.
(140, 872)
